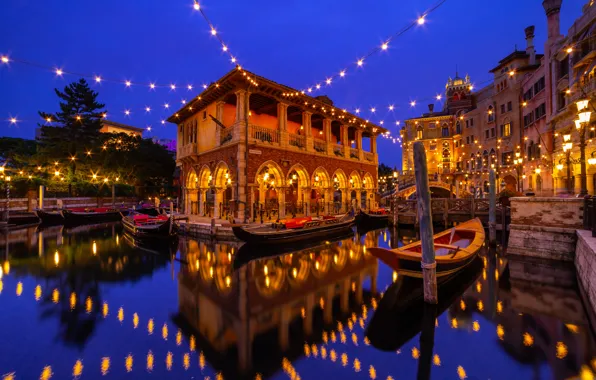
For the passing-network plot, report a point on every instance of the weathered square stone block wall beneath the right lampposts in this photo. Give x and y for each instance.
(545, 227)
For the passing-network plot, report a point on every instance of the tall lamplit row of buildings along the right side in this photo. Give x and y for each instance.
(516, 124)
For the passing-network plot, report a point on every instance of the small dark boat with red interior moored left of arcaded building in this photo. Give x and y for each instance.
(144, 226)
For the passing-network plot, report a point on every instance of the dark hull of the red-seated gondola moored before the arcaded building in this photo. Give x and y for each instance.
(292, 236)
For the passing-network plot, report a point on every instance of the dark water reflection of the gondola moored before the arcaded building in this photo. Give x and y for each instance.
(249, 252)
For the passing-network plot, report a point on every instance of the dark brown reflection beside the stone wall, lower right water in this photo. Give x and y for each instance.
(536, 312)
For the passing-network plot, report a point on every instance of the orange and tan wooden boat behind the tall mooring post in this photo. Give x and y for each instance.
(454, 249)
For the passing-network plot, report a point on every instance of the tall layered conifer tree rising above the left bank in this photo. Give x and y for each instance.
(74, 129)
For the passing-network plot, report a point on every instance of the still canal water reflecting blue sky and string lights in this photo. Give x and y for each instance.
(92, 303)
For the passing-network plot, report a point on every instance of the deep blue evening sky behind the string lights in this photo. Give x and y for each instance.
(296, 43)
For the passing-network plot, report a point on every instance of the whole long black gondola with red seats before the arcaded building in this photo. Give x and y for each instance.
(294, 230)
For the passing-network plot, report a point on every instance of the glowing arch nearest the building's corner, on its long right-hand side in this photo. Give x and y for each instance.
(269, 199)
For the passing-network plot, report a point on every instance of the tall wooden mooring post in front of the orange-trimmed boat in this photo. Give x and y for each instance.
(429, 265)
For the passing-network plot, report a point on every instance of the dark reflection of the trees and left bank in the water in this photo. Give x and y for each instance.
(72, 265)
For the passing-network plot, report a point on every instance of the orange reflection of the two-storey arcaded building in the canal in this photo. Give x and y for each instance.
(271, 303)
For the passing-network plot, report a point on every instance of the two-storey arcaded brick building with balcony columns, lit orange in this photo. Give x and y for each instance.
(247, 142)
